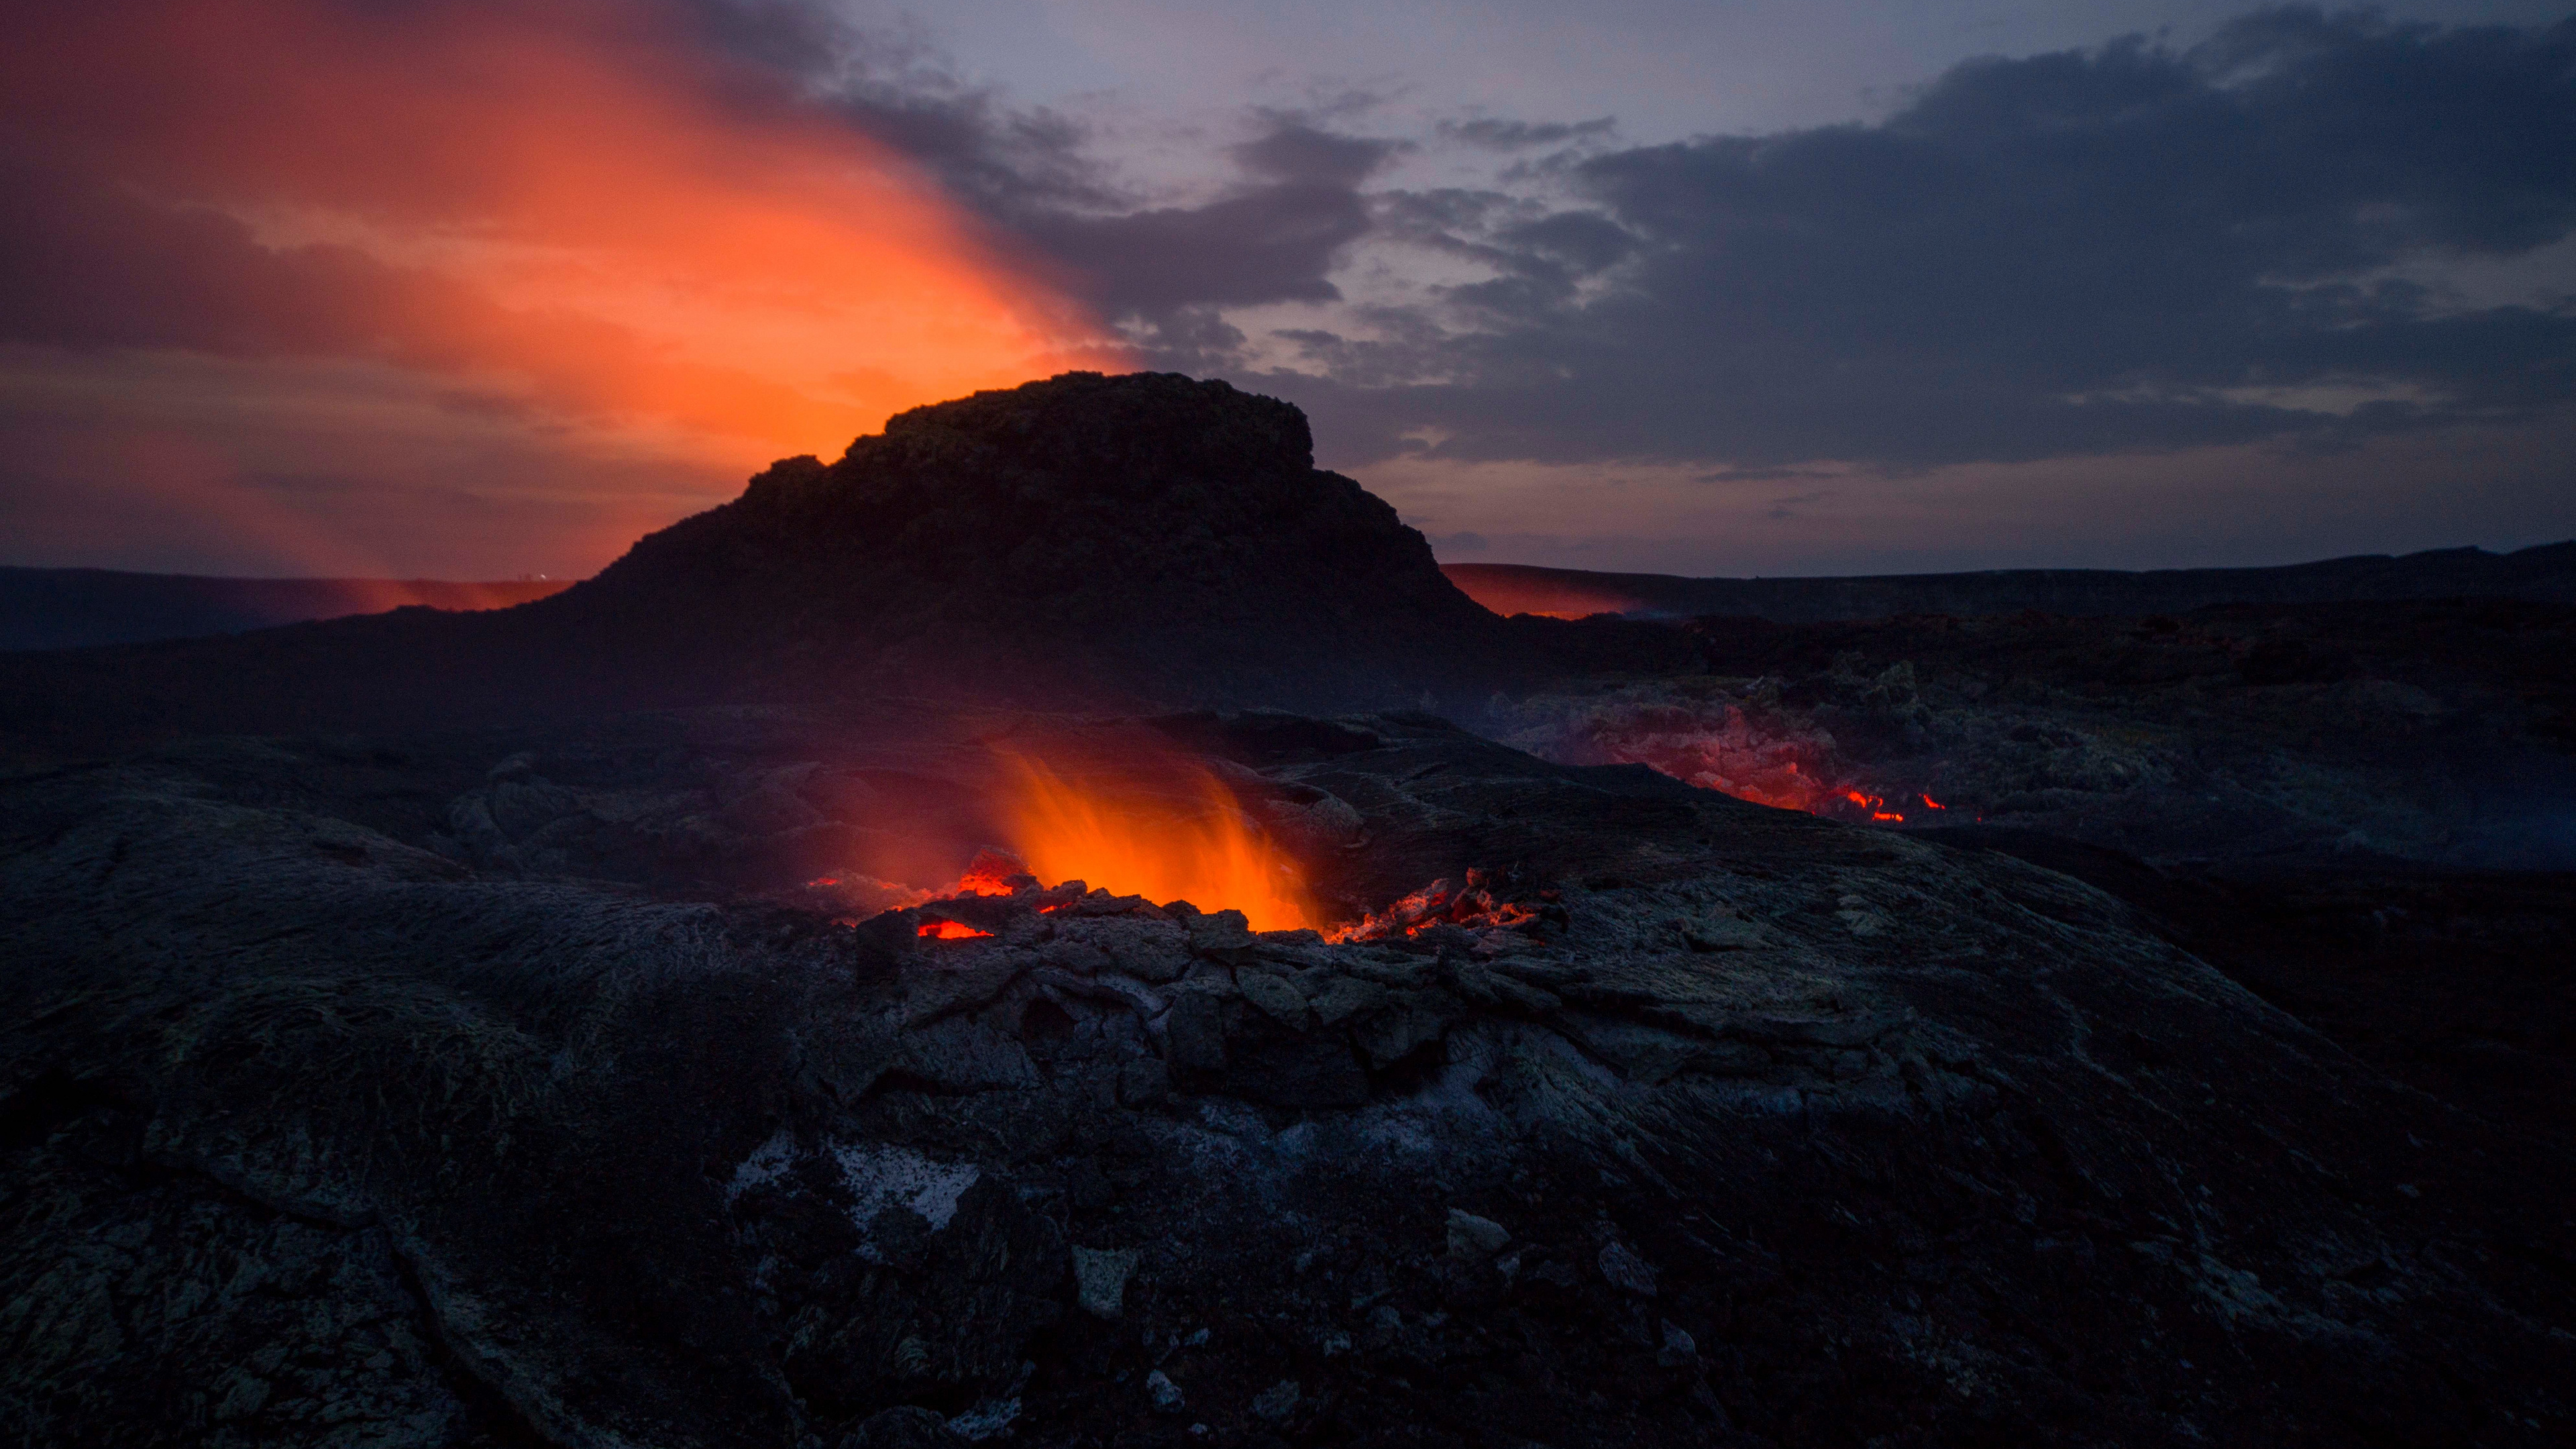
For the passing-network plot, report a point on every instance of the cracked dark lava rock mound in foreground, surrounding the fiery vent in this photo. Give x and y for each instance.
(514, 1087)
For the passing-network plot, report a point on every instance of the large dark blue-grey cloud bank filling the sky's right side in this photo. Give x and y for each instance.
(2119, 249)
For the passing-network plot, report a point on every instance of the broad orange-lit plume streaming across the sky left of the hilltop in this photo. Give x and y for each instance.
(571, 213)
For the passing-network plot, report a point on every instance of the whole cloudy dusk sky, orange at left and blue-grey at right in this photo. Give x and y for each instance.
(431, 287)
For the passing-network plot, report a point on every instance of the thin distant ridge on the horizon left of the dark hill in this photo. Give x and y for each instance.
(71, 610)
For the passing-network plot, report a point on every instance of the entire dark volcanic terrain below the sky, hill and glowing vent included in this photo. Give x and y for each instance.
(862, 976)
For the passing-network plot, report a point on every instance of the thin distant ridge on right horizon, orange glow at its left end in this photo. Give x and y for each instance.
(2544, 576)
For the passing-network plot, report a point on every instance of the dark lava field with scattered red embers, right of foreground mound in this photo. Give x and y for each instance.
(2361, 811)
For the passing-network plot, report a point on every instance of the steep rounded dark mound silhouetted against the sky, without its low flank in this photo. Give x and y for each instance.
(1148, 532)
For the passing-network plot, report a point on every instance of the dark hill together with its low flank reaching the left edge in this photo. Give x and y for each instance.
(1075, 543)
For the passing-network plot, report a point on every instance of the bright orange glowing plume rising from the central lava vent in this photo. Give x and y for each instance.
(1186, 839)
